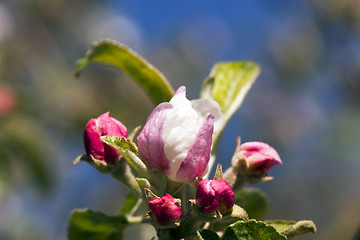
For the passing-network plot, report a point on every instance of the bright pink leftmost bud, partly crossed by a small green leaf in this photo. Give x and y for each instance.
(104, 125)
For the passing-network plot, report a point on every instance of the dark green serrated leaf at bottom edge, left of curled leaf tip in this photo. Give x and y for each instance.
(251, 230)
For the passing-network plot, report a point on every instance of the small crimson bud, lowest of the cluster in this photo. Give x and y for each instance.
(166, 210)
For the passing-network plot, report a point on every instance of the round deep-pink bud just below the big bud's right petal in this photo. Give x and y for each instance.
(215, 195)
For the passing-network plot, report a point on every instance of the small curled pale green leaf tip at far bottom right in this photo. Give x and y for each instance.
(295, 229)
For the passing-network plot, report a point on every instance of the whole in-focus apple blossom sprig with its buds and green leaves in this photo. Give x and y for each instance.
(166, 163)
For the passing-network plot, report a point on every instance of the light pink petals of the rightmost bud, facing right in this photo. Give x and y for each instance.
(259, 156)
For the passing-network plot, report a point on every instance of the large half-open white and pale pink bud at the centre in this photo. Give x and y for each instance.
(177, 136)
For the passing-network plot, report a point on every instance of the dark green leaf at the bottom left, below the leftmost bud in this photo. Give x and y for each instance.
(90, 225)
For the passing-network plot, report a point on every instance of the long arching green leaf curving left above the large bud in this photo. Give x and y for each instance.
(112, 53)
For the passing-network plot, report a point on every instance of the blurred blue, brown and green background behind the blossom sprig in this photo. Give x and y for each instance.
(306, 102)
